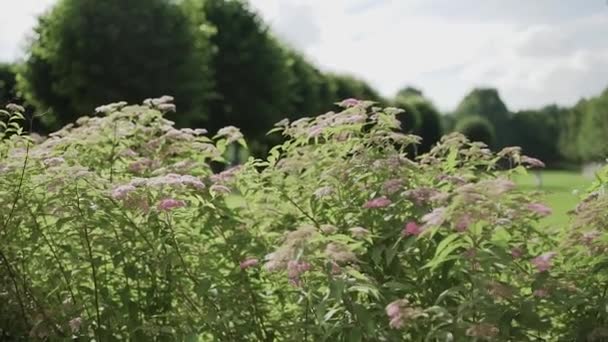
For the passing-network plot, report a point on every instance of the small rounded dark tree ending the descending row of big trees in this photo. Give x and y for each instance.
(420, 117)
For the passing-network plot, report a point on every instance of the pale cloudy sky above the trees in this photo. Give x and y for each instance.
(535, 52)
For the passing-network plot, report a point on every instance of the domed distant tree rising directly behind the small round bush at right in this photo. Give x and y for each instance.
(486, 103)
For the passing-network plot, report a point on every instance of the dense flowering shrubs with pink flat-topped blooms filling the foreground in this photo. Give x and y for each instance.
(115, 227)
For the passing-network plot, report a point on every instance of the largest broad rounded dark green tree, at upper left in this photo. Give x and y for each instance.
(88, 52)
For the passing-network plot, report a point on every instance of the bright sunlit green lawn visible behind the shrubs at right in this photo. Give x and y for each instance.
(558, 187)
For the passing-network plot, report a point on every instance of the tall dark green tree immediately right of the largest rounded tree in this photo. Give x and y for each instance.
(251, 71)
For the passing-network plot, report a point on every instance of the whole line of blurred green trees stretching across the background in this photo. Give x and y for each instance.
(225, 67)
